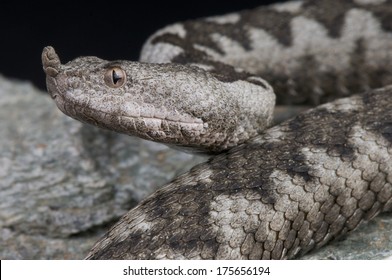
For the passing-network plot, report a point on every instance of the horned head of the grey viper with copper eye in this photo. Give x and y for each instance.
(178, 105)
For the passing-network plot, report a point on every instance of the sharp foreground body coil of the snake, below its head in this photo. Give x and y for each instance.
(293, 189)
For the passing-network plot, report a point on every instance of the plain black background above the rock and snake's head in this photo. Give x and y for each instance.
(107, 29)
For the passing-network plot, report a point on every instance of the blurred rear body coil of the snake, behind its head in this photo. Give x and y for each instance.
(308, 53)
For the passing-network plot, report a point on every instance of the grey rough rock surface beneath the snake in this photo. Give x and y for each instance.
(62, 183)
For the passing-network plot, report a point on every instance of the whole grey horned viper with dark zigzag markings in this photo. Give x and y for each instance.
(274, 194)
